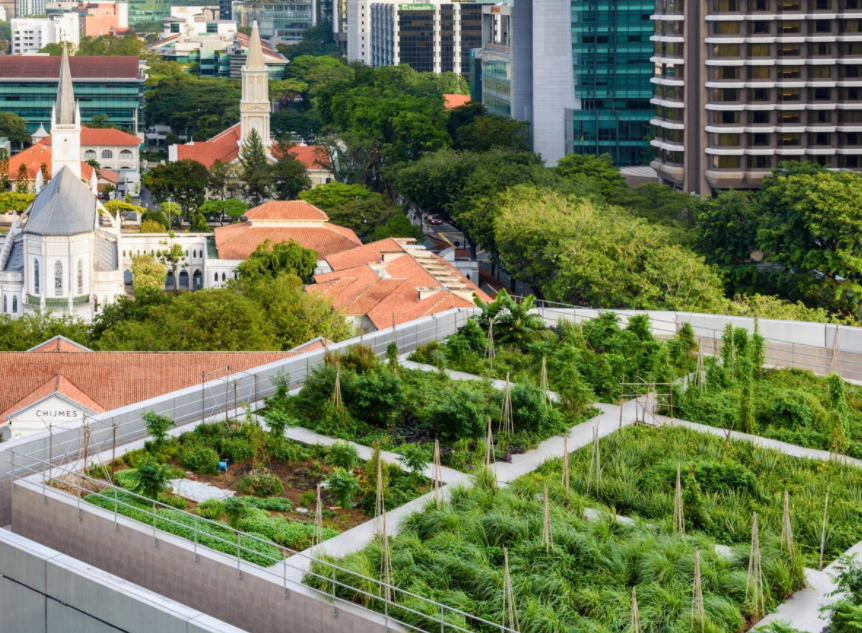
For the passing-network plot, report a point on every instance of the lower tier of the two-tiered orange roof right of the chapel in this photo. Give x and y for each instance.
(238, 241)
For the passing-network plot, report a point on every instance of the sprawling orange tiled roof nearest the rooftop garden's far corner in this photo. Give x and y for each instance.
(362, 284)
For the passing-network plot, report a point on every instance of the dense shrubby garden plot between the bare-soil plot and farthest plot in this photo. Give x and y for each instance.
(356, 396)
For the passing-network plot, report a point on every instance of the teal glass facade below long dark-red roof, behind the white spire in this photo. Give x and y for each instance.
(33, 100)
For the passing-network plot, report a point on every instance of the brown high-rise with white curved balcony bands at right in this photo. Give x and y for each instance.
(741, 85)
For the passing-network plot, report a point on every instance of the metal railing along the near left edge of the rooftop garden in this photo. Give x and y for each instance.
(242, 546)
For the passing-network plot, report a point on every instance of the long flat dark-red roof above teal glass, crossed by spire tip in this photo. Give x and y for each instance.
(47, 67)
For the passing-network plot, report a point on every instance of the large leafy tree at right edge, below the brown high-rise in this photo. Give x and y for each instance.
(811, 227)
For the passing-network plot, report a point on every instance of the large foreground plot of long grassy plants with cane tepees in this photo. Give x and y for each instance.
(570, 570)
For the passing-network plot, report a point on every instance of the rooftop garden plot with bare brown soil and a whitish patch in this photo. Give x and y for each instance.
(275, 482)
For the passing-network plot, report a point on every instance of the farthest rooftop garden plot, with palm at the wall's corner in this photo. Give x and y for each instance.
(585, 362)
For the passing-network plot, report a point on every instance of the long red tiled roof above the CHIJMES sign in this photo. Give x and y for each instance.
(108, 380)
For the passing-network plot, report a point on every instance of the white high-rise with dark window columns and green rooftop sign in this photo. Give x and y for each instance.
(429, 37)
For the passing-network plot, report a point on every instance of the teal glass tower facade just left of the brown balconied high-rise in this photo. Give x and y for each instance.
(611, 51)
